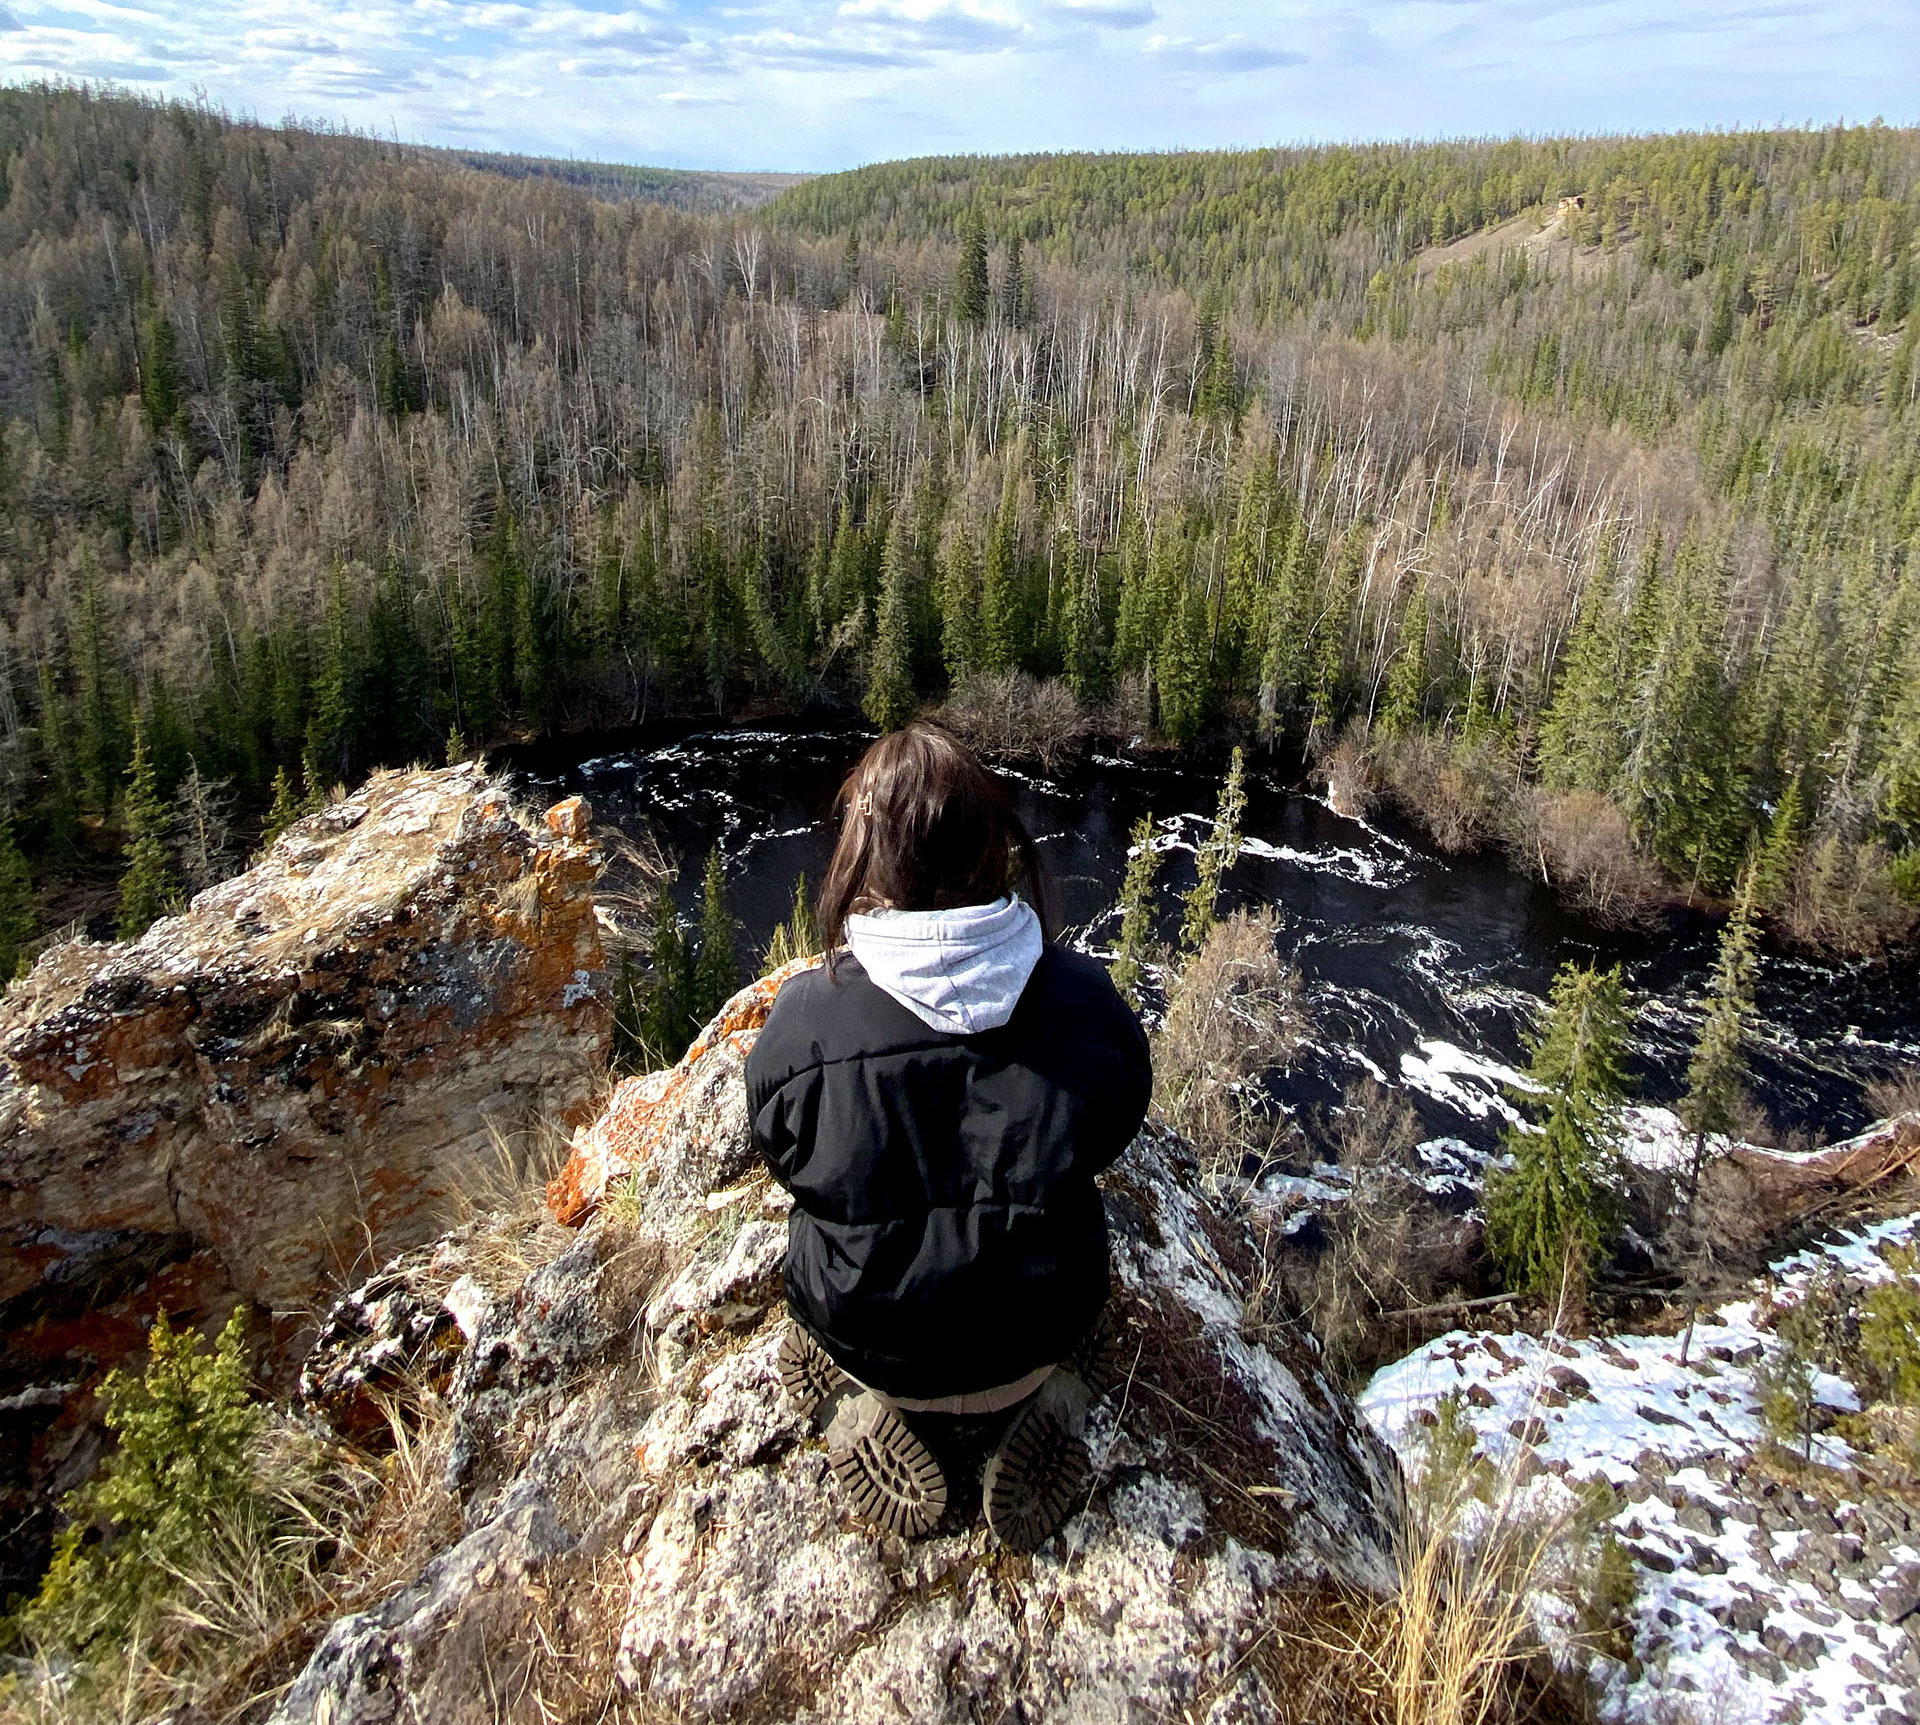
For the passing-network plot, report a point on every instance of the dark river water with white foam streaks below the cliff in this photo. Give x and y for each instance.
(1426, 973)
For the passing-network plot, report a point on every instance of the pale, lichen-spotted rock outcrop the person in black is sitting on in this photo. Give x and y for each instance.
(646, 1518)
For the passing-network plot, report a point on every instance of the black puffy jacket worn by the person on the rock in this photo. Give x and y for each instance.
(948, 1234)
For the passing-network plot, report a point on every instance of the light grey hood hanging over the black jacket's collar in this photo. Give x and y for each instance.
(957, 971)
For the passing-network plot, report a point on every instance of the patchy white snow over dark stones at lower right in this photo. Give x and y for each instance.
(1758, 1597)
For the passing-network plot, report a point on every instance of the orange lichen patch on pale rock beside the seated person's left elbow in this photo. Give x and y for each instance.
(642, 1109)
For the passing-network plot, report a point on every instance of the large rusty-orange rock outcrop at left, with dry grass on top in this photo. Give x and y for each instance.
(306, 1067)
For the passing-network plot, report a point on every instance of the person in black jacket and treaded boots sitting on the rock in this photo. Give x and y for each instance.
(940, 1100)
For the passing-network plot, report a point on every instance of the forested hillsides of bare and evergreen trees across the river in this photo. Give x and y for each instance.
(1579, 477)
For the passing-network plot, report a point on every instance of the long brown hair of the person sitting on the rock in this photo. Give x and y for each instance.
(924, 827)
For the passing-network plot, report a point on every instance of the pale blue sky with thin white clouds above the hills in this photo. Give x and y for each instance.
(832, 84)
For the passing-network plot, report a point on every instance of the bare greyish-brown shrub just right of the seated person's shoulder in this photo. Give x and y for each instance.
(1234, 1013)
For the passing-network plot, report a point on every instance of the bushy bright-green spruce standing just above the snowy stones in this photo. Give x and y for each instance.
(1554, 1215)
